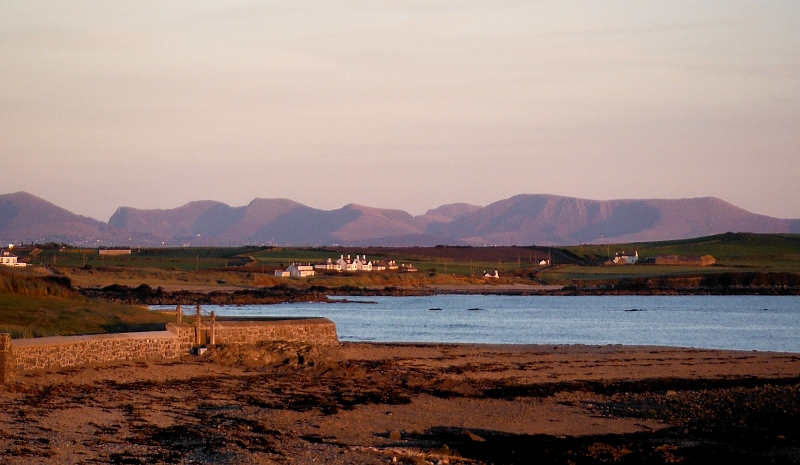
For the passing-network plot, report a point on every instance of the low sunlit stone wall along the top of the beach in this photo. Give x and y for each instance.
(177, 340)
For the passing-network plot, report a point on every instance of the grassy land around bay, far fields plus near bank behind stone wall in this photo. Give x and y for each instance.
(42, 300)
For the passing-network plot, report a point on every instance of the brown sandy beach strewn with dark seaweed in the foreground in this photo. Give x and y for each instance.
(406, 403)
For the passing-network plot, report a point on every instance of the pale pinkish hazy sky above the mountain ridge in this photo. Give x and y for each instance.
(399, 104)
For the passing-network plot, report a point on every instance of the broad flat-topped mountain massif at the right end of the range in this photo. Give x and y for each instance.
(555, 220)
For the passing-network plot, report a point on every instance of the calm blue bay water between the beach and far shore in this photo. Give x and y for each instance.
(766, 323)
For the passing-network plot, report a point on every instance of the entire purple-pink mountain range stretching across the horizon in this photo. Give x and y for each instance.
(526, 219)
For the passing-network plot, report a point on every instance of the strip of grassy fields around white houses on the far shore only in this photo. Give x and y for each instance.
(246, 267)
